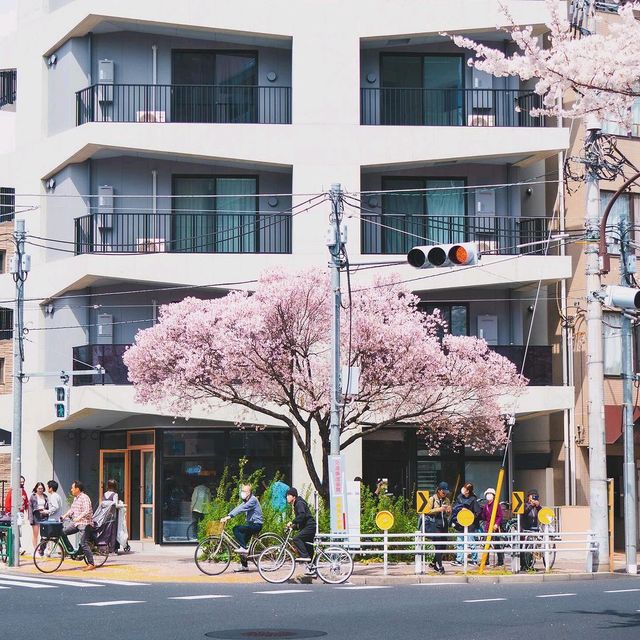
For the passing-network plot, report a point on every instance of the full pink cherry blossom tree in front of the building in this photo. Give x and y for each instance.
(268, 354)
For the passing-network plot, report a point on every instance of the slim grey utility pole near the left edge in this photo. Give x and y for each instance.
(20, 265)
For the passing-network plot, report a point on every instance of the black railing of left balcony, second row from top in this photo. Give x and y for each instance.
(179, 232)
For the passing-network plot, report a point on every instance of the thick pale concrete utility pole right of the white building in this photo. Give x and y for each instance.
(595, 360)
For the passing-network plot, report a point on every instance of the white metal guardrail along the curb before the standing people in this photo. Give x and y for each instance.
(523, 549)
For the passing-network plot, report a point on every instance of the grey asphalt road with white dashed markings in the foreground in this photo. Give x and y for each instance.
(88, 610)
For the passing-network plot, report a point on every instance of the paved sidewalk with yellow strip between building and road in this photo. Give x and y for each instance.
(177, 565)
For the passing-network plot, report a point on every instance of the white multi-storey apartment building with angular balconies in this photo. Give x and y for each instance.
(164, 146)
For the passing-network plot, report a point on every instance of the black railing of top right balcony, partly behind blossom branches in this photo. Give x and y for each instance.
(449, 107)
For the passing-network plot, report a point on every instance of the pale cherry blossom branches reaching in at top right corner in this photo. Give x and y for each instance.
(597, 73)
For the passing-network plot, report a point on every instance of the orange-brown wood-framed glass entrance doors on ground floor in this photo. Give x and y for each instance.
(133, 468)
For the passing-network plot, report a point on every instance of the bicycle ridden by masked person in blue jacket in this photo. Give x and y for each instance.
(213, 555)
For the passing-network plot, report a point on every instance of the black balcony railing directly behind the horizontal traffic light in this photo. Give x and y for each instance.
(397, 234)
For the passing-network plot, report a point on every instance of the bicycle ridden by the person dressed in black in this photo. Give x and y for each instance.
(333, 565)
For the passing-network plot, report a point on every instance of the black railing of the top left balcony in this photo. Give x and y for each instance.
(183, 103)
